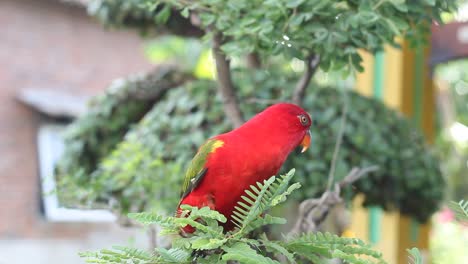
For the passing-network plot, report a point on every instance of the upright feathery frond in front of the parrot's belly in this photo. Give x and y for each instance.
(258, 199)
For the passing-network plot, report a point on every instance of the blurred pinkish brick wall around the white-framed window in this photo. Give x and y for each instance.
(48, 45)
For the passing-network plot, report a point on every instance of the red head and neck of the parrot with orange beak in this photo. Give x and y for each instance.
(284, 123)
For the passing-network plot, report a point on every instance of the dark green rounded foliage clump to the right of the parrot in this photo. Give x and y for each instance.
(409, 178)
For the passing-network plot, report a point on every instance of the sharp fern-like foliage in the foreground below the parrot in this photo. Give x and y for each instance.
(209, 244)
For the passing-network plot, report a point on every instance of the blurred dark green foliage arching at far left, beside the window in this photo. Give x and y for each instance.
(94, 135)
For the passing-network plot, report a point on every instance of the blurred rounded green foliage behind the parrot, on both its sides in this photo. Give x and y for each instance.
(150, 161)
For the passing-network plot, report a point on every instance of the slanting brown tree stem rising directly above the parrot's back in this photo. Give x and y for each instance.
(226, 87)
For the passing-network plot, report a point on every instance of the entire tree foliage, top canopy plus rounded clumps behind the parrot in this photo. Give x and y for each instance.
(129, 152)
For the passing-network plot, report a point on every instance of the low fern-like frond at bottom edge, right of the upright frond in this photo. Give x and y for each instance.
(331, 246)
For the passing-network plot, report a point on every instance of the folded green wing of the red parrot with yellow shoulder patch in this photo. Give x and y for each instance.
(197, 168)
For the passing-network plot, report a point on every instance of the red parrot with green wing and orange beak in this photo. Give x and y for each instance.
(226, 165)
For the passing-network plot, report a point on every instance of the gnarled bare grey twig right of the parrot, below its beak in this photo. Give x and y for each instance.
(312, 212)
